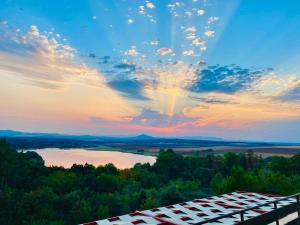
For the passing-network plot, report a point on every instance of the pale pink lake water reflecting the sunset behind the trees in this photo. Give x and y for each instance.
(67, 157)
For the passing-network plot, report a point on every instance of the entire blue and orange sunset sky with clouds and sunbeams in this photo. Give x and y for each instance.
(167, 68)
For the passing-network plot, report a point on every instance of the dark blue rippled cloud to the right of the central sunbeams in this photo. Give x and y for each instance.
(226, 79)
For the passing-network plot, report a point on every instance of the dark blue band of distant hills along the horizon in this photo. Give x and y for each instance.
(24, 140)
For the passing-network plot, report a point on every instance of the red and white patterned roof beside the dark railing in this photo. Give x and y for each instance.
(199, 210)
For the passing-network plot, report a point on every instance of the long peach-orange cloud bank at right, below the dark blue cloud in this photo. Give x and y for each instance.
(244, 110)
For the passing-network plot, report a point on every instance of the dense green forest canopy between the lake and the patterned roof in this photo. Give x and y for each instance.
(33, 194)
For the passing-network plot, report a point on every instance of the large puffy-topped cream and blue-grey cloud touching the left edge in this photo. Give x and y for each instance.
(40, 59)
